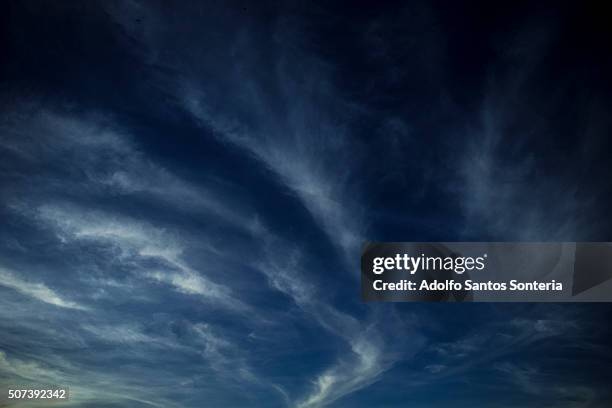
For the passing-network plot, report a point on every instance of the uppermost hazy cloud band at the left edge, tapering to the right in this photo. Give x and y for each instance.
(106, 159)
